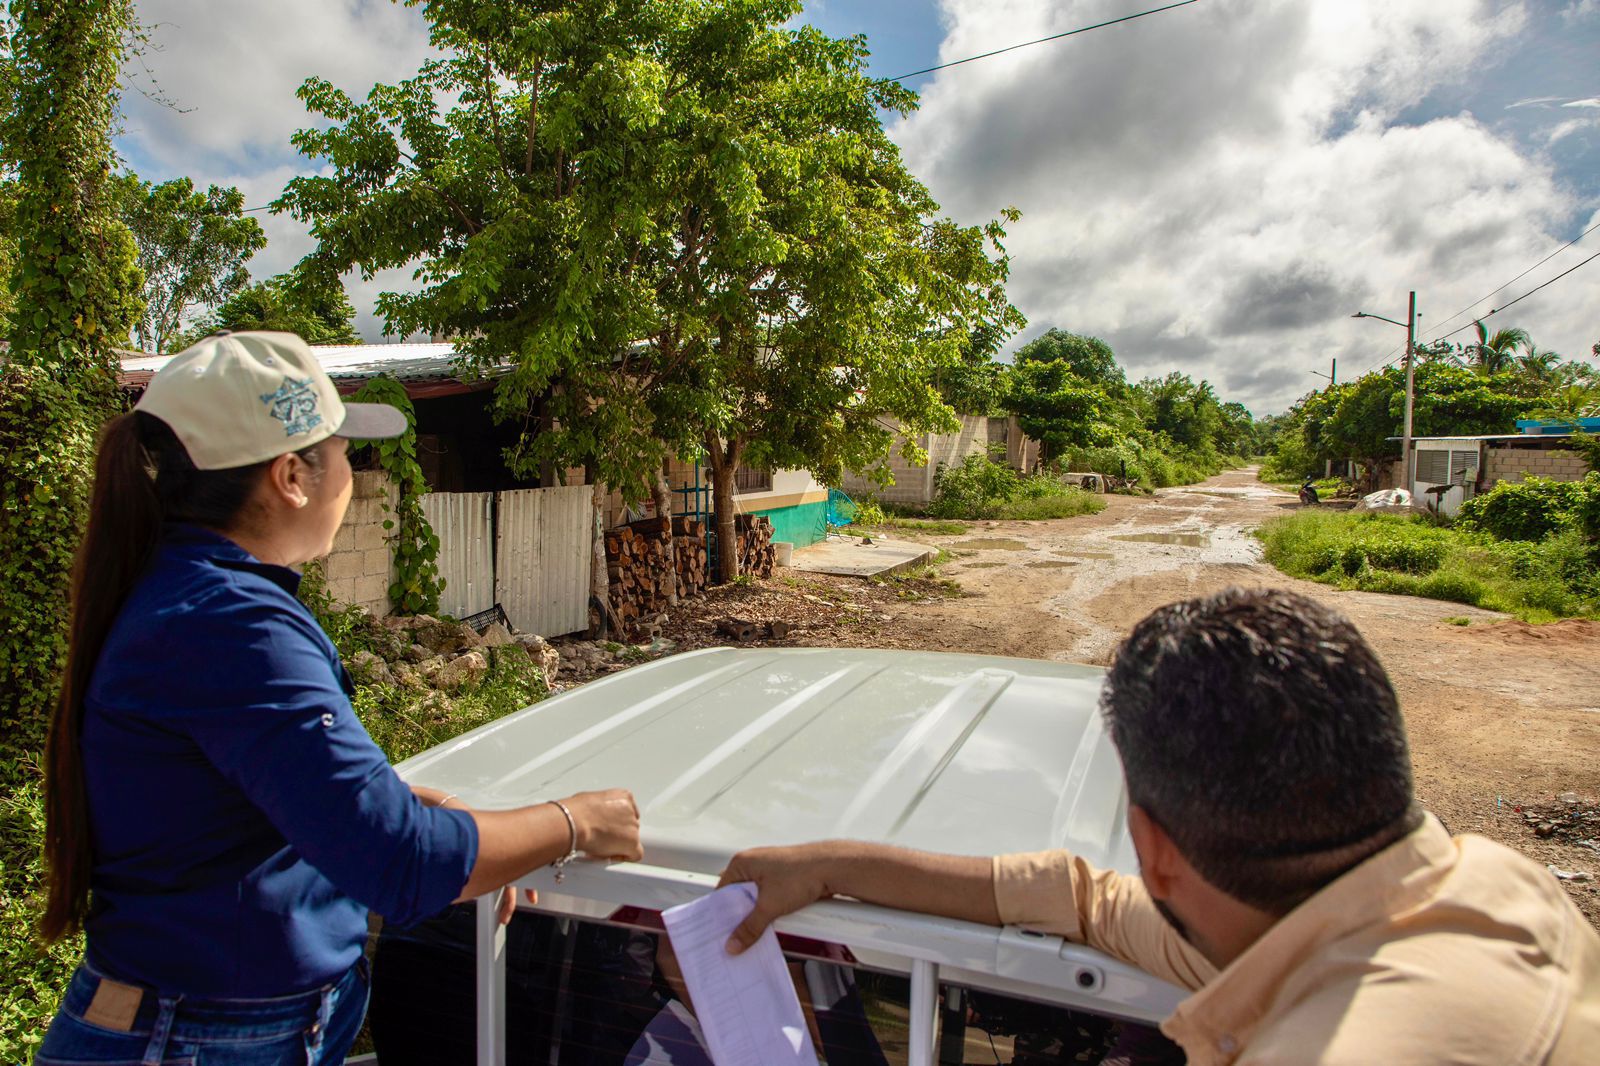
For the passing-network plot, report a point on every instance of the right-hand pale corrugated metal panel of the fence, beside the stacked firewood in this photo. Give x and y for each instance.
(545, 558)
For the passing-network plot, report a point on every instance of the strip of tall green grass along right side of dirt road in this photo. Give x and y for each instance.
(1410, 556)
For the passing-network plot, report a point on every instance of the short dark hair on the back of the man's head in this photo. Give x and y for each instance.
(1258, 729)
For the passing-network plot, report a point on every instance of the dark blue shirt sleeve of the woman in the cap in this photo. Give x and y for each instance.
(282, 731)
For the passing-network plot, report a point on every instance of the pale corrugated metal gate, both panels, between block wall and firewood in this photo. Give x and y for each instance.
(535, 564)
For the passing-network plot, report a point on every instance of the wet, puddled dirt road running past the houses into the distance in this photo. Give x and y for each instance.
(1502, 715)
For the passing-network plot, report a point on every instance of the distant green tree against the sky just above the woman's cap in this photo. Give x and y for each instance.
(193, 250)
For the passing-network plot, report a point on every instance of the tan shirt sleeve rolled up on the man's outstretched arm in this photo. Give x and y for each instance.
(1057, 892)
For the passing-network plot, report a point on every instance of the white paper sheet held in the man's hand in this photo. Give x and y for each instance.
(746, 1004)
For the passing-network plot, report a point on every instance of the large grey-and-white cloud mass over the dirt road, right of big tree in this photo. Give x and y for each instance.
(1220, 188)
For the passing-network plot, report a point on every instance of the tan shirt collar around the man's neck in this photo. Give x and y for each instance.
(1223, 1016)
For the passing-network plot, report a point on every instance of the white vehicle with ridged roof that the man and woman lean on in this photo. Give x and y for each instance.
(729, 750)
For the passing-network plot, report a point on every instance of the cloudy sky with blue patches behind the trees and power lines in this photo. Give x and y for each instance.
(1212, 190)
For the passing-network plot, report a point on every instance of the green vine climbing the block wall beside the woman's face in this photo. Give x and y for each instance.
(415, 547)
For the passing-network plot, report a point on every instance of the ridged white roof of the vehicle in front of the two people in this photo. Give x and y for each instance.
(729, 750)
